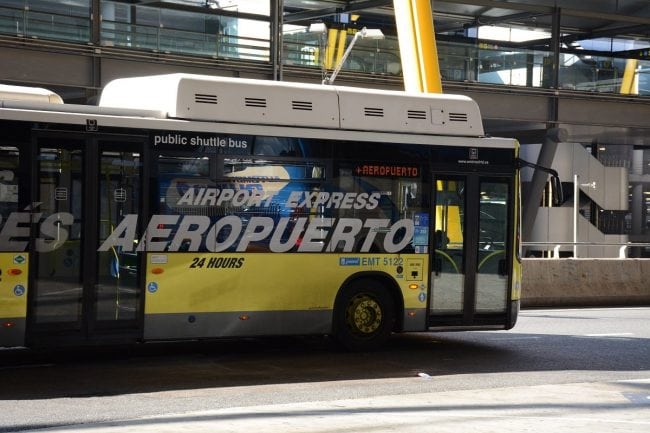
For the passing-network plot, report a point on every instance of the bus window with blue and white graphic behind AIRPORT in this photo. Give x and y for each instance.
(252, 203)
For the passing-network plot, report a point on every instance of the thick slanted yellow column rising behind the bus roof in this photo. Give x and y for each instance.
(417, 44)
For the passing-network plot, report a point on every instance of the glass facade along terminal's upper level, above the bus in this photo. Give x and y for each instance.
(242, 30)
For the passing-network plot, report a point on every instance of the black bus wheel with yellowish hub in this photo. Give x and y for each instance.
(365, 315)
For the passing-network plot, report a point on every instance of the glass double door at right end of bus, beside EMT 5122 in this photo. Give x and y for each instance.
(470, 281)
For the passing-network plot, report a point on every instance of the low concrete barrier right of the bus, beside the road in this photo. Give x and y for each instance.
(585, 282)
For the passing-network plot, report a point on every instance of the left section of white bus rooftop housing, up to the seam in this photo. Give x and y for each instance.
(222, 99)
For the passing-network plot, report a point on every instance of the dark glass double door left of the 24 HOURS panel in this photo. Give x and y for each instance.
(80, 292)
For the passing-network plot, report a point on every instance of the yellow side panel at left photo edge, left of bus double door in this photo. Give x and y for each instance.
(13, 298)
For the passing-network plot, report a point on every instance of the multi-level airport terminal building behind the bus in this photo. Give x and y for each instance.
(570, 80)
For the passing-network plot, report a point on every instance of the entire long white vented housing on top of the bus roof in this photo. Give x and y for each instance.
(264, 102)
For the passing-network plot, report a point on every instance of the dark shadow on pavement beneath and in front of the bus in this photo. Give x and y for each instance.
(90, 372)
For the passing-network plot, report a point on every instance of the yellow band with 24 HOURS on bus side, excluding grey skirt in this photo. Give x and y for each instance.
(208, 282)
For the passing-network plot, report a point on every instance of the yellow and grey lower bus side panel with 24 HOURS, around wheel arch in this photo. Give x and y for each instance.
(203, 295)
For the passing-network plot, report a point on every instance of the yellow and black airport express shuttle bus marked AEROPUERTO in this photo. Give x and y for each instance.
(192, 207)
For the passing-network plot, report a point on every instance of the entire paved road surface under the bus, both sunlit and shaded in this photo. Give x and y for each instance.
(558, 370)
